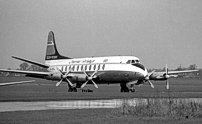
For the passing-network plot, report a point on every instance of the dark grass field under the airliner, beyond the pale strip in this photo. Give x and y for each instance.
(43, 90)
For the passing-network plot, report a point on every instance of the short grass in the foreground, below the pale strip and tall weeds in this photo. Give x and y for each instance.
(88, 116)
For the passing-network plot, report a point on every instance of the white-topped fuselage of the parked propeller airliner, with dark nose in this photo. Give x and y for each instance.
(112, 69)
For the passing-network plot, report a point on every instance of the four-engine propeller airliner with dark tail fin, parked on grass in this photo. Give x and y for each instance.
(77, 72)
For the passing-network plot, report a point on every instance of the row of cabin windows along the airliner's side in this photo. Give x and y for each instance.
(83, 67)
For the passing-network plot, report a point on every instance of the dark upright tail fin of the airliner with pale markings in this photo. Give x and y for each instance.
(51, 50)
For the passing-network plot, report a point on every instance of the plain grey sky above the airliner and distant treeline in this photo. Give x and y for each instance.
(159, 32)
